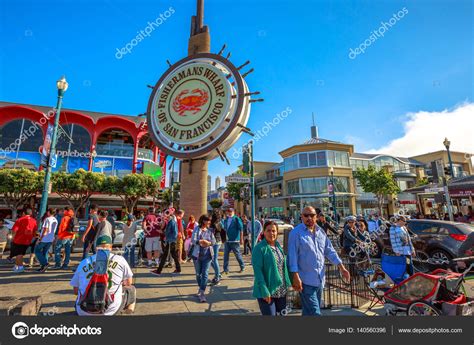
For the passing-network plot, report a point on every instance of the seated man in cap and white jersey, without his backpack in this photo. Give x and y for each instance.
(121, 290)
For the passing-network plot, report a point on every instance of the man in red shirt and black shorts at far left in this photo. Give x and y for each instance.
(24, 230)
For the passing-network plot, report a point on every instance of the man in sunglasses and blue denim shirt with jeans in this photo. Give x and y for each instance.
(308, 245)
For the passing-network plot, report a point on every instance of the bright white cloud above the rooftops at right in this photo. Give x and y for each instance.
(425, 132)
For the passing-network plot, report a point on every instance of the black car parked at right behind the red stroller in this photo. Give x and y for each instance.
(439, 239)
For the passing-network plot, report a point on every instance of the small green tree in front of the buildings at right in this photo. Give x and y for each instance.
(378, 181)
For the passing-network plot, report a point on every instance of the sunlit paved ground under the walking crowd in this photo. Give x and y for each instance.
(168, 294)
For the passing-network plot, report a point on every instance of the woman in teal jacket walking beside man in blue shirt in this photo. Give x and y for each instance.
(271, 279)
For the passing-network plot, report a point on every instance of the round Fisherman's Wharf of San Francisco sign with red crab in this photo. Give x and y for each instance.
(199, 107)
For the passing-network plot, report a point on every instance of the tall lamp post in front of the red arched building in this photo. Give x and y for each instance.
(62, 86)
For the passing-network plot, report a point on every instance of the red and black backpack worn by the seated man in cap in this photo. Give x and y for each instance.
(97, 298)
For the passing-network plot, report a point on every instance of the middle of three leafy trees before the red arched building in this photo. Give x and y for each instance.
(78, 187)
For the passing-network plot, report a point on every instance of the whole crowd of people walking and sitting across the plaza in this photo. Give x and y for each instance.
(169, 239)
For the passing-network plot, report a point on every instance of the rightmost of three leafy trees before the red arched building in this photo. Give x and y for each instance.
(131, 188)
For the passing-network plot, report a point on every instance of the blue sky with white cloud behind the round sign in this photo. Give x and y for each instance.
(395, 85)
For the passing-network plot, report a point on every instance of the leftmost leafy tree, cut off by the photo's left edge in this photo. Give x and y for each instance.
(18, 186)
